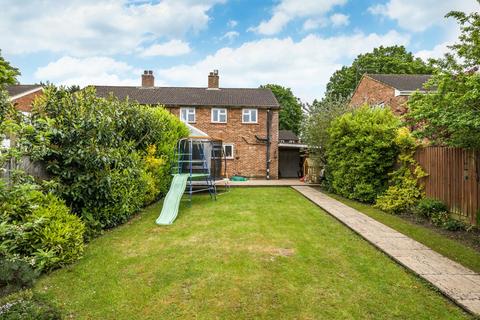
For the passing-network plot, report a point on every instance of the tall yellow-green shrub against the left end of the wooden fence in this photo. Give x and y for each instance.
(404, 190)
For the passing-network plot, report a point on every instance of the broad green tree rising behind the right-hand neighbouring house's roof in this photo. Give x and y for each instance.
(393, 59)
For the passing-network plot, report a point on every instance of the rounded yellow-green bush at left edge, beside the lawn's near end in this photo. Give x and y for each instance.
(38, 228)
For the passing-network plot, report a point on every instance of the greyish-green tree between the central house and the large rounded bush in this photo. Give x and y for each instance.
(320, 116)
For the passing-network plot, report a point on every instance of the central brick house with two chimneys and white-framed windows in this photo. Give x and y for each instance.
(245, 119)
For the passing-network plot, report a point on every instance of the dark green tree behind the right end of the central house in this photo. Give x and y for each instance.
(290, 117)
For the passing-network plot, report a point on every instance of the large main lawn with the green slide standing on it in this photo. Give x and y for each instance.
(255, 253)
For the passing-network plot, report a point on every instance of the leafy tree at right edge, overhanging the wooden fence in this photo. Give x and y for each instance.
(450, 114)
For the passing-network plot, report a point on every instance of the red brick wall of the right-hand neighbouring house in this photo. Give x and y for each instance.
(373, 92)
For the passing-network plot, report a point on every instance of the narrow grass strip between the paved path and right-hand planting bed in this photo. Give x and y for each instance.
(450, 248)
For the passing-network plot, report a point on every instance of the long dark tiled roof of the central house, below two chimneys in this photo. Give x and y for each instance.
(184, 96)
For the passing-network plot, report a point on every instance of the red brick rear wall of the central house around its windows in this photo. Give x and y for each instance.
(249, 154)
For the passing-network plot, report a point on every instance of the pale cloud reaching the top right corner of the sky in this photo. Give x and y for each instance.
(419, 15)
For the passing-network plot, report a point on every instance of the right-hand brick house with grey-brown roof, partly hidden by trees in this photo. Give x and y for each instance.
(392, 90)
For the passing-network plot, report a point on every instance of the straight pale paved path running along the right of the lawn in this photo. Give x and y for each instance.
(460, 284)
